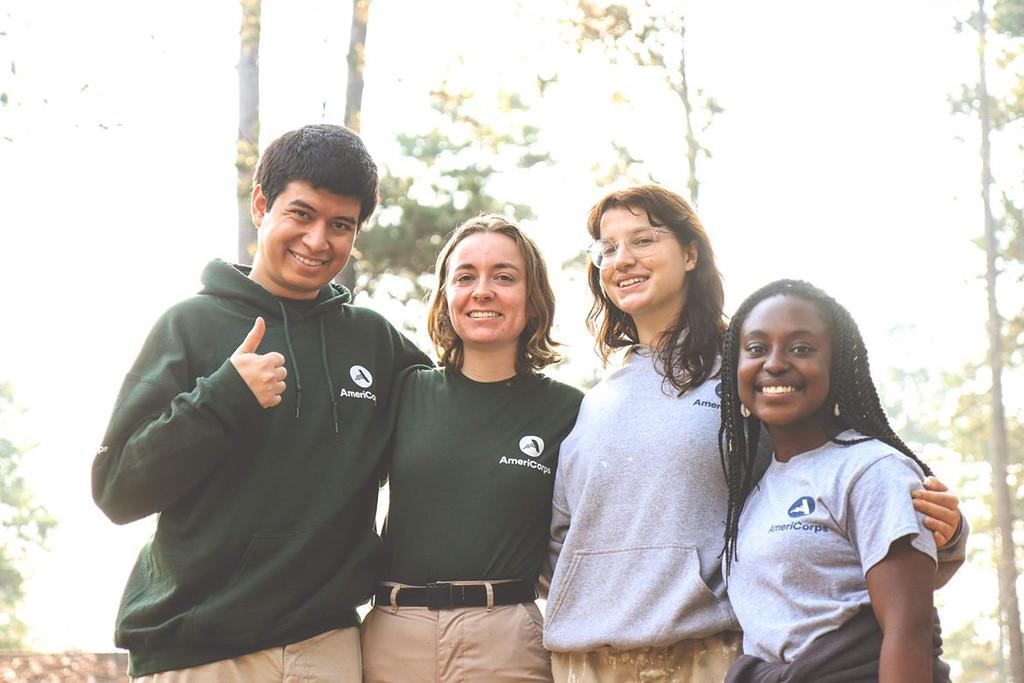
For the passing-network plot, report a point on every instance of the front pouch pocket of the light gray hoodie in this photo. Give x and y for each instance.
(633, 597)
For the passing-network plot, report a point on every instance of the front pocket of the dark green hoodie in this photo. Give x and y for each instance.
(275, 577)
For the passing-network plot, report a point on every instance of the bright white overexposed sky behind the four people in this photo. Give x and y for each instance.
(837, 160)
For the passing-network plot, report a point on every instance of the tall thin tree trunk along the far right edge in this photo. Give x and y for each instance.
(1009, 606)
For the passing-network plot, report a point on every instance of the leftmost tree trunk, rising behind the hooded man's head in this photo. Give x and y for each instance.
(247, 149)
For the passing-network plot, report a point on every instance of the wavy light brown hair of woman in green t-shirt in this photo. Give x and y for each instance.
(536, 348)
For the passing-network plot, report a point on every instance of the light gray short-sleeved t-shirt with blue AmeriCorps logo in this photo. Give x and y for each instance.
(808, 535)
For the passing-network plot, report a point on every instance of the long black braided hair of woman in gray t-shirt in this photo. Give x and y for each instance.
(852, 398)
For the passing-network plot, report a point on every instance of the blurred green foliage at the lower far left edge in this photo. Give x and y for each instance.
(24, 527)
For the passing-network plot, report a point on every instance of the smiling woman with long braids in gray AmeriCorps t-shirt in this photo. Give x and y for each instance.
(829, 531)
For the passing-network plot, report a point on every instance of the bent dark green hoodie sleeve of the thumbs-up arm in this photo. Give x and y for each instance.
(169, 429)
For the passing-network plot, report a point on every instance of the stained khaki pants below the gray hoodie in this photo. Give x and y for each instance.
(704, 661)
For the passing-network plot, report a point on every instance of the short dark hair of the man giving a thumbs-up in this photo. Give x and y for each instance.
(327, 157)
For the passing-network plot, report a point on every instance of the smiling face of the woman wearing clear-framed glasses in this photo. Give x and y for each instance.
(652, 288)
